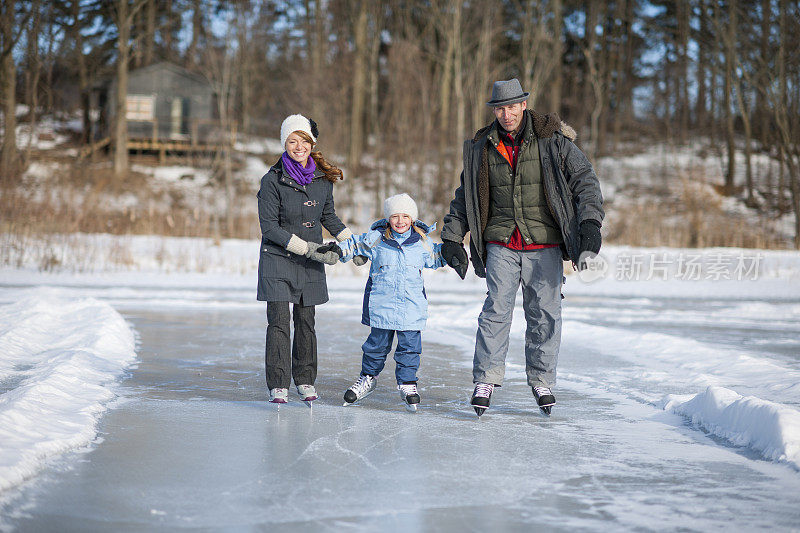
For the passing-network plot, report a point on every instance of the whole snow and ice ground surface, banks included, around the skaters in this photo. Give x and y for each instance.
(679, 401)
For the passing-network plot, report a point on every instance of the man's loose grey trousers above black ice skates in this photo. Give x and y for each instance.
(541, 273)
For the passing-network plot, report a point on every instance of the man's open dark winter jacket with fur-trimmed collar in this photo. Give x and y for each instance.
(570, 186)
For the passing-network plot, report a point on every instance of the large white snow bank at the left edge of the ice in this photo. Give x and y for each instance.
(60, 359)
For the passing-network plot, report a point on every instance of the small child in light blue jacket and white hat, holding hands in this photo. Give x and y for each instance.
(394, 298)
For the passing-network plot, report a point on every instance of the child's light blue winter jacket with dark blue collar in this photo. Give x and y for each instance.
(394, 297)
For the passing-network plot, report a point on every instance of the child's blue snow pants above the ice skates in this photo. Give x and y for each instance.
(406, 355)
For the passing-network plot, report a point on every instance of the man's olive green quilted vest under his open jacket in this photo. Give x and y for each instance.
(518, 200)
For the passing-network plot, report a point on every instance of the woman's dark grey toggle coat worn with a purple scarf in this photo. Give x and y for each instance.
(286, 208)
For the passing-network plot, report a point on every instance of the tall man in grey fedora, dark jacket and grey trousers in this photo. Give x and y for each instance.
(529, 199)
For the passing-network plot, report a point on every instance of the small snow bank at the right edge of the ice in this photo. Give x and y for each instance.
(770, 428)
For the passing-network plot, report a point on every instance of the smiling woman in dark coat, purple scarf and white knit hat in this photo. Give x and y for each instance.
(294, 202)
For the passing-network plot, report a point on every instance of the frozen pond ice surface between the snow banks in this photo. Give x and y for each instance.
(192, 443)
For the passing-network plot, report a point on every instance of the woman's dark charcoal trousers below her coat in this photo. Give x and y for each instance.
(301, 362)
